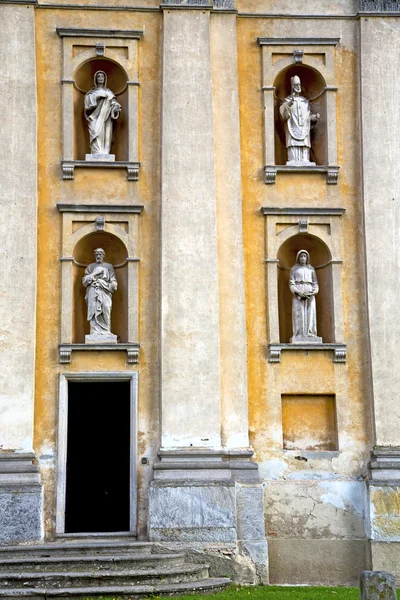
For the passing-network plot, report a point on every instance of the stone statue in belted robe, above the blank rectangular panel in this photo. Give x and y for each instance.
(304, 286)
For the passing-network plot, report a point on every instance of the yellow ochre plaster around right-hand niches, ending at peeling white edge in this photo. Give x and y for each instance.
(303, 372)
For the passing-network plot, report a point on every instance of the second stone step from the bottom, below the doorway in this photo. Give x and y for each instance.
(98, 578)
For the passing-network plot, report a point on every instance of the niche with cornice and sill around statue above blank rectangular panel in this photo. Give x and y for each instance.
(316, 230)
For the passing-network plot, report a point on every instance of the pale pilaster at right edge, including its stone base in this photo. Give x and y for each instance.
(381, 191)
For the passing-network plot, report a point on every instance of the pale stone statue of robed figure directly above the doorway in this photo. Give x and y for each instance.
(100, 283)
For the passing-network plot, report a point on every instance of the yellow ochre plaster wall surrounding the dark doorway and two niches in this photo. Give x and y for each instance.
(96, 187)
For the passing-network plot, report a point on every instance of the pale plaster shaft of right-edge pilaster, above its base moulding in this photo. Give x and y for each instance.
(380, 44)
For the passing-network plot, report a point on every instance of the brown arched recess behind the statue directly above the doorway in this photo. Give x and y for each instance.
(116, 254)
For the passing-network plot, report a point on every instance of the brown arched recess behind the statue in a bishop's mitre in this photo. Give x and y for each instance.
(313, 88)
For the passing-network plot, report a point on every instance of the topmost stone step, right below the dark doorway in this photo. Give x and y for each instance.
(77, 548)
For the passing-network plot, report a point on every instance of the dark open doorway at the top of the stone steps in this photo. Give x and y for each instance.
(98, 457)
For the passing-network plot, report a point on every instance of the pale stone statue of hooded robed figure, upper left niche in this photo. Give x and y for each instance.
(101, 109)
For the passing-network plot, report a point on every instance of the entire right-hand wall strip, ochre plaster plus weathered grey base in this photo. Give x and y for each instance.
(325, 489)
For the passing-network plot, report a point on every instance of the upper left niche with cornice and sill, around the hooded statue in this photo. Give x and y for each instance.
(115, 52)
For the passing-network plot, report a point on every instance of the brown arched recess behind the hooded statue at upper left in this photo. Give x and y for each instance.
(117, 81)
